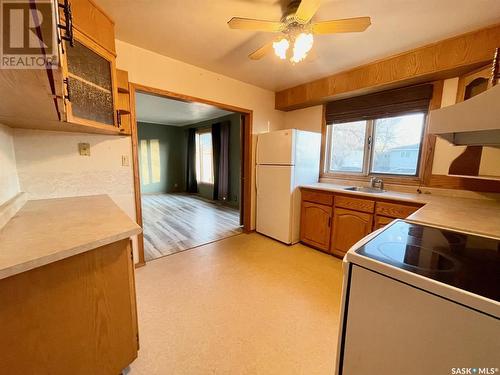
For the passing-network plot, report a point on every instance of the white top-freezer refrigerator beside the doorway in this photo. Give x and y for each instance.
(286, 159)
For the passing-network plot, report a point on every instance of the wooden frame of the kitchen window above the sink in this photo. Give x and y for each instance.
(366, 173)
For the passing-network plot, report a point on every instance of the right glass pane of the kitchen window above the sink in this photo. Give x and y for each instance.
(396, 144)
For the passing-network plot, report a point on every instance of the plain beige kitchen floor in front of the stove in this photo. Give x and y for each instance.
(245, 305)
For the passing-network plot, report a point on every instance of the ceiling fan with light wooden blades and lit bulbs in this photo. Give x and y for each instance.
(297, 30)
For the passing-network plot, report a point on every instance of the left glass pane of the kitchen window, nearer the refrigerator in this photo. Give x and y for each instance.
(347, 146)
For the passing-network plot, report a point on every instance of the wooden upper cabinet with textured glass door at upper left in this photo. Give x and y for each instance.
(80, 92)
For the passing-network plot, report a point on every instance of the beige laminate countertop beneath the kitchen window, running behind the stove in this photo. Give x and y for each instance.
(475, 216)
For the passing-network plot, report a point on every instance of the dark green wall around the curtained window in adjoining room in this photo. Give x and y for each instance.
(234, 156)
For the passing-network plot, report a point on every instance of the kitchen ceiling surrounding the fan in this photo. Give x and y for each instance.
(195, 31)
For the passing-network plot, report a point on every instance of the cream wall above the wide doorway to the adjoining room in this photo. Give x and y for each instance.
(151, 69)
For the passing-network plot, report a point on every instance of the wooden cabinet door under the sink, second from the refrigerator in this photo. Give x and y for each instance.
(348, 228)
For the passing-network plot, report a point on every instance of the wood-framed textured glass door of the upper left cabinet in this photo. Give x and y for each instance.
(91, 84)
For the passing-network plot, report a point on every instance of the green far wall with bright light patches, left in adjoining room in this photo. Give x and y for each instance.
(169, 176)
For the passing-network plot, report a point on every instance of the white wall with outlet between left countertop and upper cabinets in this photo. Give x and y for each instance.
(50, 166)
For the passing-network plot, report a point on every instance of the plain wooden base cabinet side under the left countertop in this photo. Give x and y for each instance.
(74, 316)
